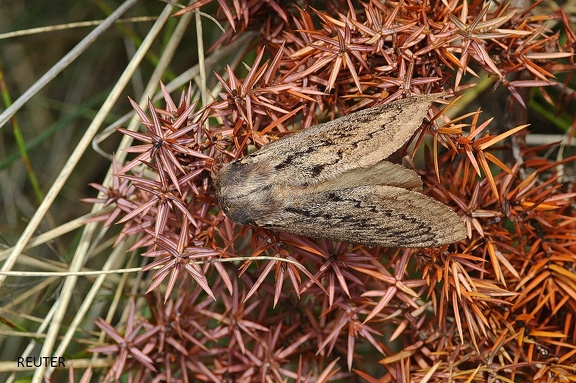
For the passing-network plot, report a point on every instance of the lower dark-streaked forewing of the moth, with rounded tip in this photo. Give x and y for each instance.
(379, 215)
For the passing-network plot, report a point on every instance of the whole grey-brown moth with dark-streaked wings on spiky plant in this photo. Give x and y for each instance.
(332, 181)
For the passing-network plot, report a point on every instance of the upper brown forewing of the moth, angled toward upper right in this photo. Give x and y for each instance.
(358, 140)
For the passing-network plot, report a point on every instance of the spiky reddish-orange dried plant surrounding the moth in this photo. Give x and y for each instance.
(499, 306)
